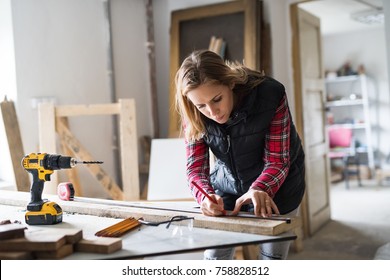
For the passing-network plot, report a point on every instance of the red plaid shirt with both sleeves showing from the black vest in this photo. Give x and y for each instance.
(276, 157)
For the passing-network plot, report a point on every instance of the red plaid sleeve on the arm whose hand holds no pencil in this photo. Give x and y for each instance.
(276, 154)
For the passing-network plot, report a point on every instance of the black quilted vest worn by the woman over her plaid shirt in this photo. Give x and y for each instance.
(239, 148)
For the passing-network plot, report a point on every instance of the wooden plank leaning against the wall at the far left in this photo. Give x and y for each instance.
(15, 144)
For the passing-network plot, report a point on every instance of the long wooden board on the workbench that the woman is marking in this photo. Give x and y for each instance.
(110, 209)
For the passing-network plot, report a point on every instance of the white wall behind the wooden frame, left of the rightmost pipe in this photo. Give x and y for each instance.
(61, 52)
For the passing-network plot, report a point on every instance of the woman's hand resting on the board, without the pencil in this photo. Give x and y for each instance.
(263, 204)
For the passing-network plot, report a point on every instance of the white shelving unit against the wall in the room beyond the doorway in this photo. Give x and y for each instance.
(348, 106)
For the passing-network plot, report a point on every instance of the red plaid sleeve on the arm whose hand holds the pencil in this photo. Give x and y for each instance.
(198, 168)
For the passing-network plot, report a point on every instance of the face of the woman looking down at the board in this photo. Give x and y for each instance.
(213, 101)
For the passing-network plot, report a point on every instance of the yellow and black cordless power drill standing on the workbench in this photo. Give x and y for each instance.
(41, 166)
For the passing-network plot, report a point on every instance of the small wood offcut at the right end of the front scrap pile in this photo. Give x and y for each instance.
(100, 245)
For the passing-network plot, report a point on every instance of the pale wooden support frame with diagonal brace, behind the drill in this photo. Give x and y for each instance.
(52, 119)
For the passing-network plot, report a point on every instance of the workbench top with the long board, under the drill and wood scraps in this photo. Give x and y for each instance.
(147, 241)
